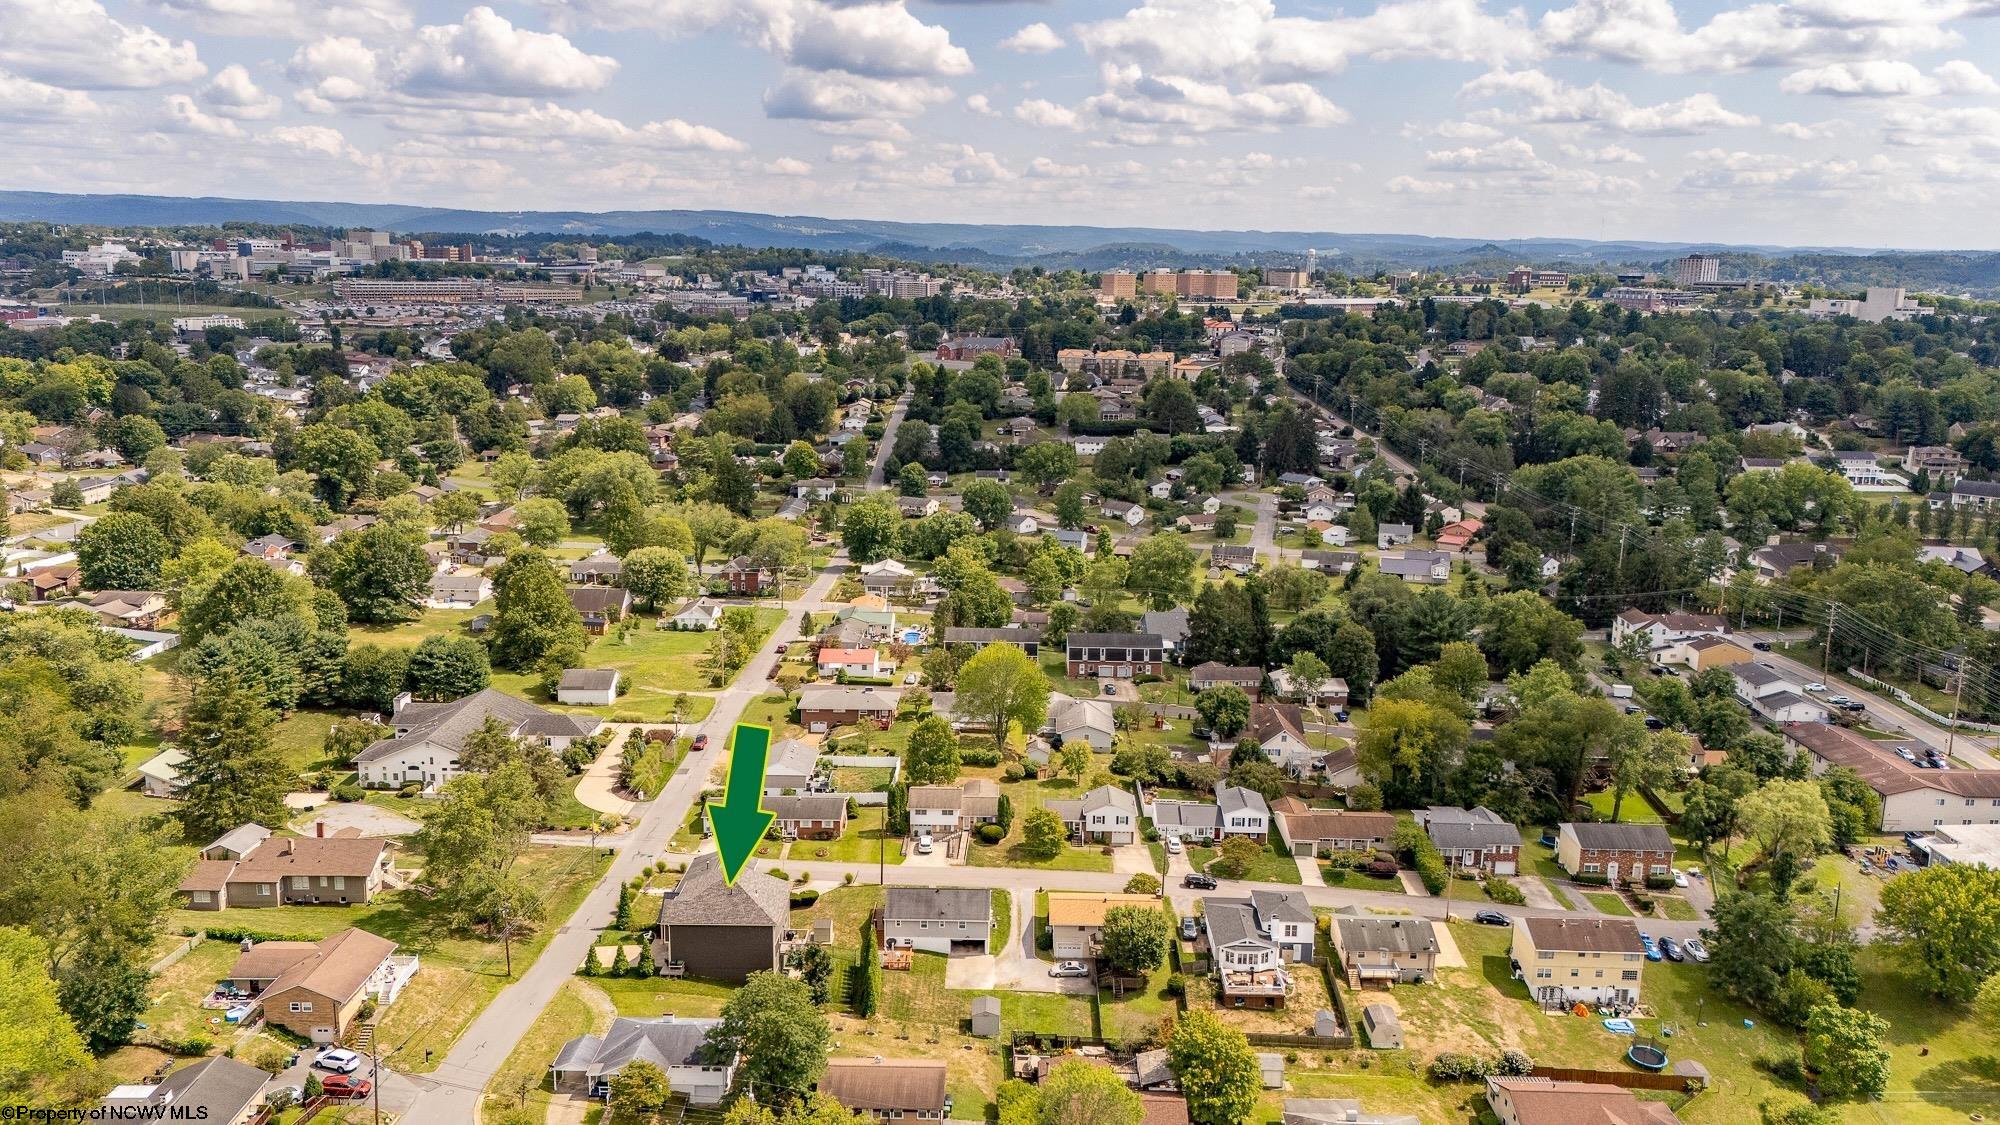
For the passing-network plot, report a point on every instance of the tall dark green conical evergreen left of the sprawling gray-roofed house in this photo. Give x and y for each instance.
(231, 776)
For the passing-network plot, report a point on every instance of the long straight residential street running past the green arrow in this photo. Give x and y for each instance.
(487, 1044)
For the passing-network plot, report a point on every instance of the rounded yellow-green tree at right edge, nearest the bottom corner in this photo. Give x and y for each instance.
(1945, 926)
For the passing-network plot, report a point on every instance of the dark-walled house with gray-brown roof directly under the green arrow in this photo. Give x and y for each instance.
(717, 932)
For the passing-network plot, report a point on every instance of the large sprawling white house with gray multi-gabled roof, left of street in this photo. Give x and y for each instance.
(429, 738)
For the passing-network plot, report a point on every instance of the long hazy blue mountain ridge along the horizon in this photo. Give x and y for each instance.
(973, 241)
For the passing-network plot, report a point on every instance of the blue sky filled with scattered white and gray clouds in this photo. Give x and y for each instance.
(1789, 121)
